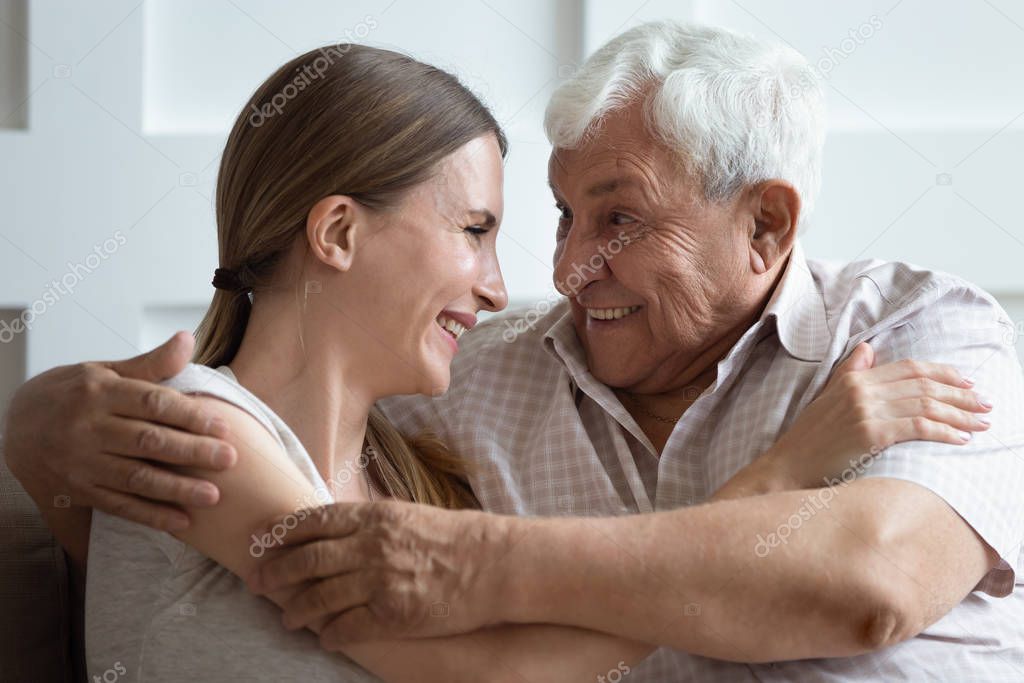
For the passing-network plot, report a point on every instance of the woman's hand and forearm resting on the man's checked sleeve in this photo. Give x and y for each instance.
(862, 412)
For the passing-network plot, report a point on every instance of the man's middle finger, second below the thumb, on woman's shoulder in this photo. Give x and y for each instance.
(137, 439)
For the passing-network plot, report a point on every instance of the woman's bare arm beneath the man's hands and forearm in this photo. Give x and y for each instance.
(266, 485)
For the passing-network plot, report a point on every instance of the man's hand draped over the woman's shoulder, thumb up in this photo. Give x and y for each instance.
(88, 436)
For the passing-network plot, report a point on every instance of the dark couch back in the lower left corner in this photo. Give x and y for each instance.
(39, 628)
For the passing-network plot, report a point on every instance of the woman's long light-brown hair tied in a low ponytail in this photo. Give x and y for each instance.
(343, 120)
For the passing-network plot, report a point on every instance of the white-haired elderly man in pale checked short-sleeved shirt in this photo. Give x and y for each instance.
(693, 333)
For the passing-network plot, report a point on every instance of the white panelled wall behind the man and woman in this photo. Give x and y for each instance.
(113, 115)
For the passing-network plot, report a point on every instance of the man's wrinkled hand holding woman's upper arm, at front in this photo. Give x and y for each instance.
(385, 571)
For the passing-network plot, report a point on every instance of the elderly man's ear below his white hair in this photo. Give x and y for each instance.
(776, 206)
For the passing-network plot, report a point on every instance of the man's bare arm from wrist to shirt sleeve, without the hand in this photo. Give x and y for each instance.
(700, 580)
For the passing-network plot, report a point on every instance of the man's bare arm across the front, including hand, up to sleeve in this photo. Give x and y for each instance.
(857, 569)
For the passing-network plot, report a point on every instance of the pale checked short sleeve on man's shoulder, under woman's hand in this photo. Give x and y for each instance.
(983, 481)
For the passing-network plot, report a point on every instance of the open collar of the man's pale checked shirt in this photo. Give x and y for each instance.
(796, 307)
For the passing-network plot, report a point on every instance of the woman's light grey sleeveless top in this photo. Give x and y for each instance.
(157, 610)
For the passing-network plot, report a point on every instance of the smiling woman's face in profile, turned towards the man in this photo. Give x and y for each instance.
(425, 269)
